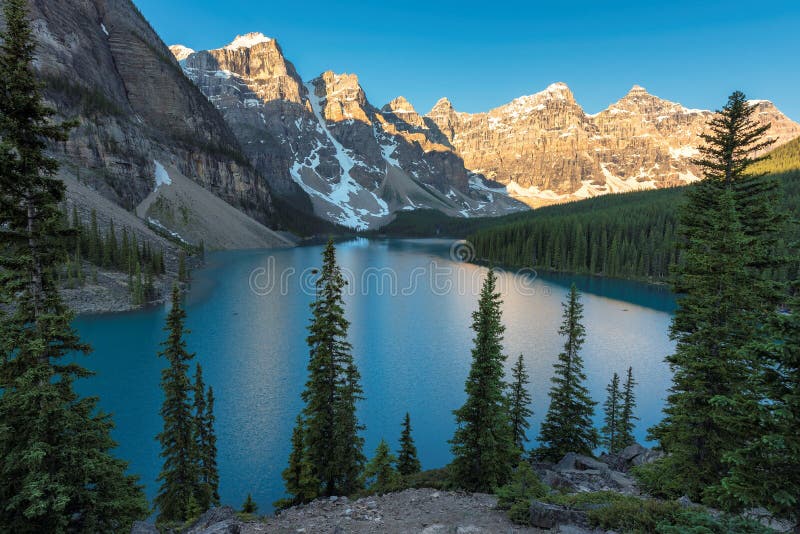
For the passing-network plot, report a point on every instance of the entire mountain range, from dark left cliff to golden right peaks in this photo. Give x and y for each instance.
(240, 122)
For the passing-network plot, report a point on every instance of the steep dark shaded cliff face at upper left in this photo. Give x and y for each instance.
(104, 65)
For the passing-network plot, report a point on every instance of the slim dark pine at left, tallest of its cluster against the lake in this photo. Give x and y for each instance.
(178, 476)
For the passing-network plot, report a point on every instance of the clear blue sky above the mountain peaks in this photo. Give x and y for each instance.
(481, 55)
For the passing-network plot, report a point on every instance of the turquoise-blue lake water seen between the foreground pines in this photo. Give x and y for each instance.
(410, 306)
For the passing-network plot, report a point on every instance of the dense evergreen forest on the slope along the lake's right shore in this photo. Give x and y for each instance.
(631, 235)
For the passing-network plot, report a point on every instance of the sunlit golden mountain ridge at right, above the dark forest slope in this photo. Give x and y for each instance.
(544, 148)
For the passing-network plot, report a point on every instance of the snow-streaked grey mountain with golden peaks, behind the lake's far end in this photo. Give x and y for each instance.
(358, 164)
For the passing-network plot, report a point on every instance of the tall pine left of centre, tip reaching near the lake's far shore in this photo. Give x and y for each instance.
(332, 446)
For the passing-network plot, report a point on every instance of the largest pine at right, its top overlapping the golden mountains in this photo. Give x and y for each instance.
(729, 230)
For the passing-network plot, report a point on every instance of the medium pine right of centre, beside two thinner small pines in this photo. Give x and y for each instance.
(568, 424)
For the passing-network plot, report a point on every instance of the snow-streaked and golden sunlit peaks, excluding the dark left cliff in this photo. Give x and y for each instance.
(359, 163)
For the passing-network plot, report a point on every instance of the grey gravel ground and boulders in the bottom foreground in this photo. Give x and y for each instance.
(432, 511)
